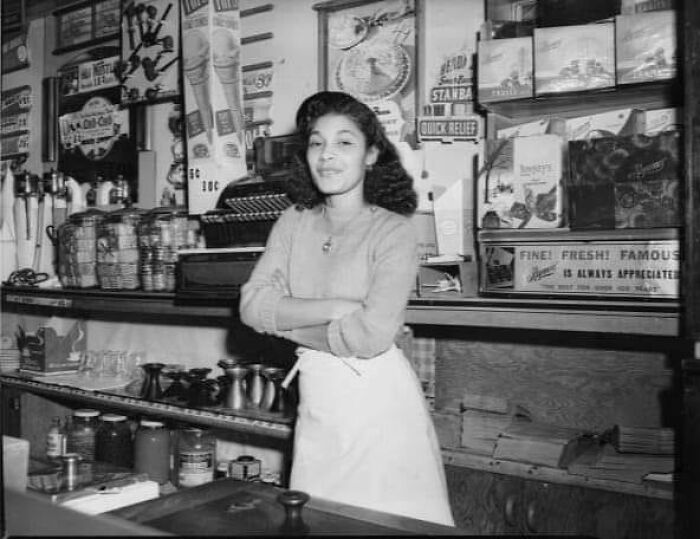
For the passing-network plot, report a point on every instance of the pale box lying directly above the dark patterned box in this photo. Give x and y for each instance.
(622, 122)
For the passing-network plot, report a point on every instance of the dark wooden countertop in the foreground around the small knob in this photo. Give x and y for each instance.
(231, 507)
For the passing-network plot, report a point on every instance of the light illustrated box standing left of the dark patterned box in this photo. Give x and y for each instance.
(520, 184)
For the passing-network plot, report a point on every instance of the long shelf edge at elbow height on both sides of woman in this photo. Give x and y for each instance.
(580, 315)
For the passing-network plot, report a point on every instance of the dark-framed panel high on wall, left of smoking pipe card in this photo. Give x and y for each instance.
(86, 24)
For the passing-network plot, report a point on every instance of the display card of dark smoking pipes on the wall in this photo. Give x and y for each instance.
(150, 61)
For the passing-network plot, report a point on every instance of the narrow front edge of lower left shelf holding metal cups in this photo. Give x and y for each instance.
(246, 421)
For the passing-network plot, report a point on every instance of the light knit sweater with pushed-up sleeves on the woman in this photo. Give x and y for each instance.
(373, 260)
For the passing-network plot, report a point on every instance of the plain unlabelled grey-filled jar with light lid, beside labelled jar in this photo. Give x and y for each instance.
(152, 450)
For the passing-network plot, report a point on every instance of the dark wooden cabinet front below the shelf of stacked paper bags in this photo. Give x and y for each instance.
(496, 503)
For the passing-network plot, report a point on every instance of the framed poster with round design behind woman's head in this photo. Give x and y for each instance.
(368, 50)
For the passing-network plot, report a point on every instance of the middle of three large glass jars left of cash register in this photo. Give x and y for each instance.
(117, 250)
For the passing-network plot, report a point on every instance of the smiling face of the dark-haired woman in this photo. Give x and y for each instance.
(337, 155)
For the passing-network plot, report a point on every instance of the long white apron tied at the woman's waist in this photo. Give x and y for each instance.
(364, 436)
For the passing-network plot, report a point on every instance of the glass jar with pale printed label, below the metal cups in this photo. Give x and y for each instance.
(195, 457)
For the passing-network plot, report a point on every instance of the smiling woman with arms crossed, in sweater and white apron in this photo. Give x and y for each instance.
(335, 278)
